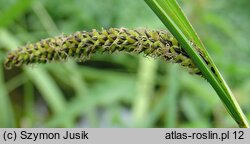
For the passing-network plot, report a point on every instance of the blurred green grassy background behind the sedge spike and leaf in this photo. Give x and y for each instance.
(120, 90)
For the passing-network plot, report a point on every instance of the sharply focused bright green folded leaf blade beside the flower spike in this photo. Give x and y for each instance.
(174, 19)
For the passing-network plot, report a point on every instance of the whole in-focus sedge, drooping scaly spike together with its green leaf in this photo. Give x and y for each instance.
(183, 46)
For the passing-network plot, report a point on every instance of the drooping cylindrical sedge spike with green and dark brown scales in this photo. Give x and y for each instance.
(81, 45)
